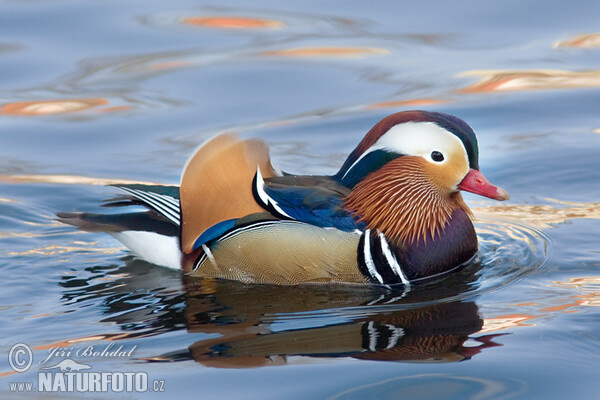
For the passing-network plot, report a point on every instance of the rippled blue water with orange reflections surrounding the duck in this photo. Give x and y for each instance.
(97, 92)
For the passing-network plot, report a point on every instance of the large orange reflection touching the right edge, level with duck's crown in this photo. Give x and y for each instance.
(506, 81)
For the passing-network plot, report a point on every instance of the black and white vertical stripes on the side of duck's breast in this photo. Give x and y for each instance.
(377, 262)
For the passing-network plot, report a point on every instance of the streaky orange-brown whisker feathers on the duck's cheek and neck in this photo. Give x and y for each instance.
(402, 203)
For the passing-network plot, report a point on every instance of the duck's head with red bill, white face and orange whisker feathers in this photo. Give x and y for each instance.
(405, 176)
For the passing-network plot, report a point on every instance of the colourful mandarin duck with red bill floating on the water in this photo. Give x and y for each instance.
(392, 215)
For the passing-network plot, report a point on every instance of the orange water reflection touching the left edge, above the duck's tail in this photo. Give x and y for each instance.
(49, 107)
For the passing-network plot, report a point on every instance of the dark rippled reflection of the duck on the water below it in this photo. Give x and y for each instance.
(245, 325)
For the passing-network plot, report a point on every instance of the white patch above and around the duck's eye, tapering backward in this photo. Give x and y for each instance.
(420, 139)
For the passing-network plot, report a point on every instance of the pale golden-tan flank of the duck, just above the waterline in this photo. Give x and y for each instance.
(294, 253)
